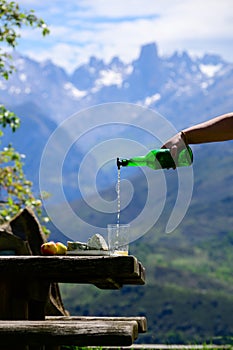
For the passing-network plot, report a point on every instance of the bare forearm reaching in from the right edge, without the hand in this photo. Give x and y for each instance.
(214, 130)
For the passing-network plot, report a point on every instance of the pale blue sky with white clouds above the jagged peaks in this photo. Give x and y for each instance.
(80, 29)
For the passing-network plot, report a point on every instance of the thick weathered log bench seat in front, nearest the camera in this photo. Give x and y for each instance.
(80, 333)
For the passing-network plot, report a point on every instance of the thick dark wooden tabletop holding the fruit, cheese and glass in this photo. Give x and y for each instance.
(102, 271)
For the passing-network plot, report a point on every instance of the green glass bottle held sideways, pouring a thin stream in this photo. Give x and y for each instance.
(159, 159)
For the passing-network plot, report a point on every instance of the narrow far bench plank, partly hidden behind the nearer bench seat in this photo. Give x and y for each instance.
(141, 320)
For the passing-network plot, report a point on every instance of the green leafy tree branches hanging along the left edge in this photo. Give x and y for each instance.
(15, 190)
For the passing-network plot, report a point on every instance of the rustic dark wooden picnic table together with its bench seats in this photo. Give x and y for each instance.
(105, 272)
